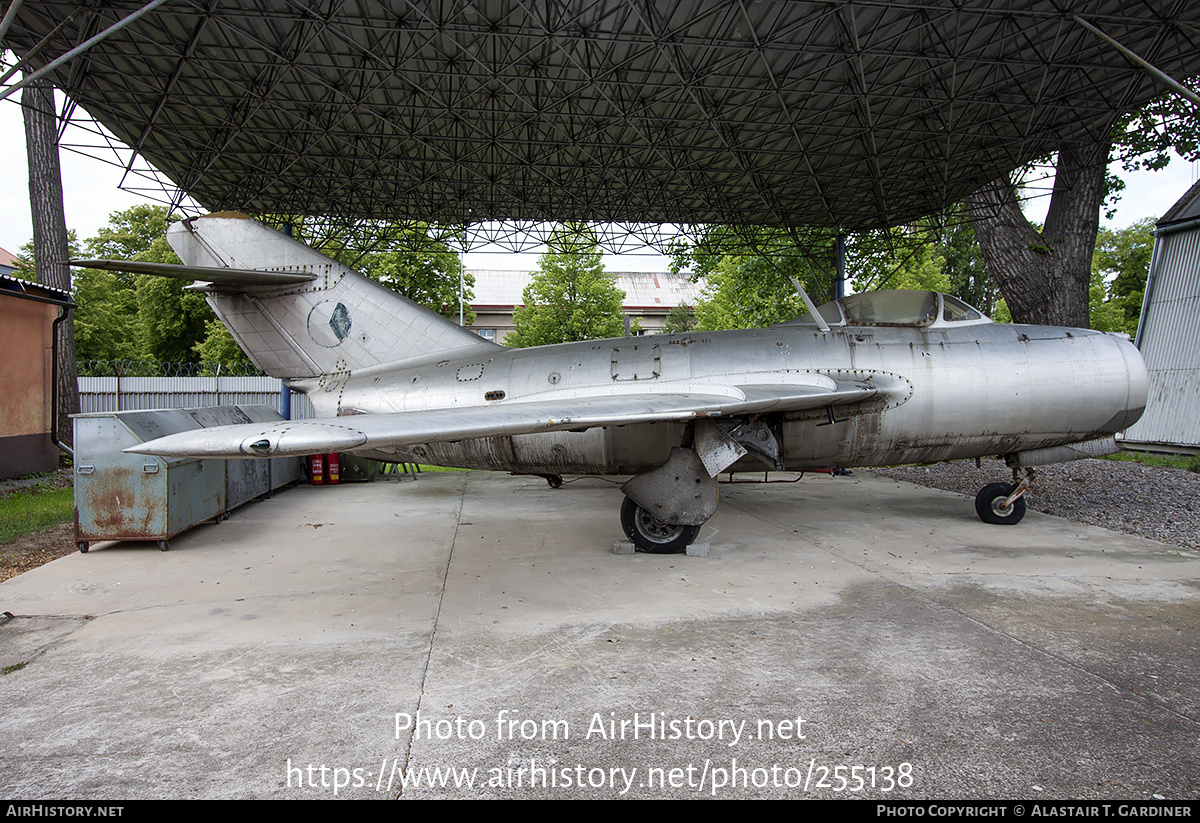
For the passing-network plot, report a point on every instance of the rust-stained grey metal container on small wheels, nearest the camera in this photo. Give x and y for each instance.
(140, 497)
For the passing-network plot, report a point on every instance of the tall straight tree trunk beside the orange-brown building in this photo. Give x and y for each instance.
(51, 250)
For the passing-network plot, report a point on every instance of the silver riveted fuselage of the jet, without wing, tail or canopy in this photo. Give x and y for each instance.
(943, 394)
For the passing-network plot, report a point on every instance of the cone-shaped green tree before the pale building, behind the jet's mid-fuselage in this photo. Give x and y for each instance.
(572, 298)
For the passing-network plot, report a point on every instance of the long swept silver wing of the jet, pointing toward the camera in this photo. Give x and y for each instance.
(407, 429)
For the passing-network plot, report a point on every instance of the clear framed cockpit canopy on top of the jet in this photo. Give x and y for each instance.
(896, 309)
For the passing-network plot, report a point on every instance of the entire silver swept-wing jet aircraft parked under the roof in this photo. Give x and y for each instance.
(872, 380)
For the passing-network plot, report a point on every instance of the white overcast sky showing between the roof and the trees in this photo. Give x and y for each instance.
(92, 194)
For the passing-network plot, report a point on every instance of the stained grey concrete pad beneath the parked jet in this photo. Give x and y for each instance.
(844, 638)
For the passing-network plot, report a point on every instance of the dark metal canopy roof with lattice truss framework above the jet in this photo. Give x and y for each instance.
(746, 112)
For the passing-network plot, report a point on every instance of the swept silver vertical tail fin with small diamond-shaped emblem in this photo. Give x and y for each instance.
(335, 321)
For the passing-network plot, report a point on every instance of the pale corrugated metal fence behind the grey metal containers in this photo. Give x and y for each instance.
(127, 394)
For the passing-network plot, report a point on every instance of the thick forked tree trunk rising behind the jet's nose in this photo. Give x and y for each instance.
(1045, 275)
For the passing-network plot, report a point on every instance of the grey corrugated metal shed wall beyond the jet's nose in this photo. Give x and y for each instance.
(1169, 340)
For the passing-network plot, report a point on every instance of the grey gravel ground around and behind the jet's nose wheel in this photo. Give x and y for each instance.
(1147, 501)
